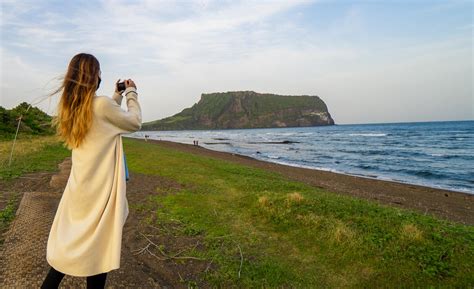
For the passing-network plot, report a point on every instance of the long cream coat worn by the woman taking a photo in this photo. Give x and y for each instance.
(86, 235)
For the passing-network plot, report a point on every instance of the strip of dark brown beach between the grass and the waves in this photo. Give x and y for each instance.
(445, 204)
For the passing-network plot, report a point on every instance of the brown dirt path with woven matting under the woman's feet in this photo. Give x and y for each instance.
(23, 254)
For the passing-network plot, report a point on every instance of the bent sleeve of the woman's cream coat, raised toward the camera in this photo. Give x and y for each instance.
(125, 121)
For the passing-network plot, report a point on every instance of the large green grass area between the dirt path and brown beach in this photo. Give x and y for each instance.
(294, 235)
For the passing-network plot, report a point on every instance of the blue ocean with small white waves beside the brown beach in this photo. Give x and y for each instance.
(433, 154)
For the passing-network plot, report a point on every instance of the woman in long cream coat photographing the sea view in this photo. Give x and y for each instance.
(86, 234)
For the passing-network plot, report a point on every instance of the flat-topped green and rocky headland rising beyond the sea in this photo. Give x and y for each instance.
(247, 109)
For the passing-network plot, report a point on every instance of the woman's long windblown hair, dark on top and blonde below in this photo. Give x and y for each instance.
(74, 111)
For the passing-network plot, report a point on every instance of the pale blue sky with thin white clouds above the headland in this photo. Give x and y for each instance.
(369, 61)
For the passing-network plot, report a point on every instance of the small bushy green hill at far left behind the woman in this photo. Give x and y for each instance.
(34, 121)
